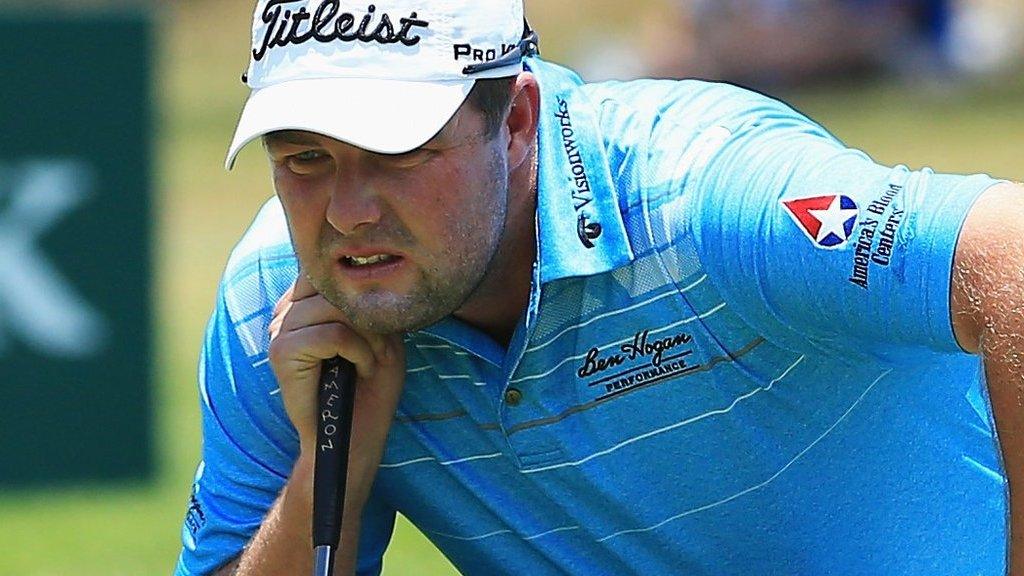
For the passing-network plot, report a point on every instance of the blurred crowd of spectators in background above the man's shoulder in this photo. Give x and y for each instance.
(771, 44)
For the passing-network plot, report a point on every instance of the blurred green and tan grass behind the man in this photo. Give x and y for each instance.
(969, 127)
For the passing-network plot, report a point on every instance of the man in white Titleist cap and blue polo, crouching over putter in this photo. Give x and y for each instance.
(643, 328)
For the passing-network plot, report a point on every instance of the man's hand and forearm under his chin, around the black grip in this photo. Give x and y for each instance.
(306, 331)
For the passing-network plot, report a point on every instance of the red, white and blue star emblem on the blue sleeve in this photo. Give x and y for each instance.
(827, 221)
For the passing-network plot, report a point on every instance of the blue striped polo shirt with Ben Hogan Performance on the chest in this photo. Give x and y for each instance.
(738, 358)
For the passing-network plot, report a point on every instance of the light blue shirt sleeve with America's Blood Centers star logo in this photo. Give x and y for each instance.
(812, 241)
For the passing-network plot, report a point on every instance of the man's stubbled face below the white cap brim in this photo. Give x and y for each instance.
(396, 242)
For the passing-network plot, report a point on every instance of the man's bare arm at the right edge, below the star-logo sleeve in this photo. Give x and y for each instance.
(989, 318)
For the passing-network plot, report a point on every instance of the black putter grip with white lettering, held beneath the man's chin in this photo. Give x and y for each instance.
(334, 430)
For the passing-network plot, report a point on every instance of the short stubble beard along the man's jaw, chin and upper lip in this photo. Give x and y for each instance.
(446, 283)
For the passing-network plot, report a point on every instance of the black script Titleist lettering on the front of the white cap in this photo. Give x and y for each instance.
(328, 24)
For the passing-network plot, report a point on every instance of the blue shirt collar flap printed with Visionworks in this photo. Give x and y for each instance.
(580, 225)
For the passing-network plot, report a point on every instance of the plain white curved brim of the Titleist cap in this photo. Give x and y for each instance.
(383, 116)
